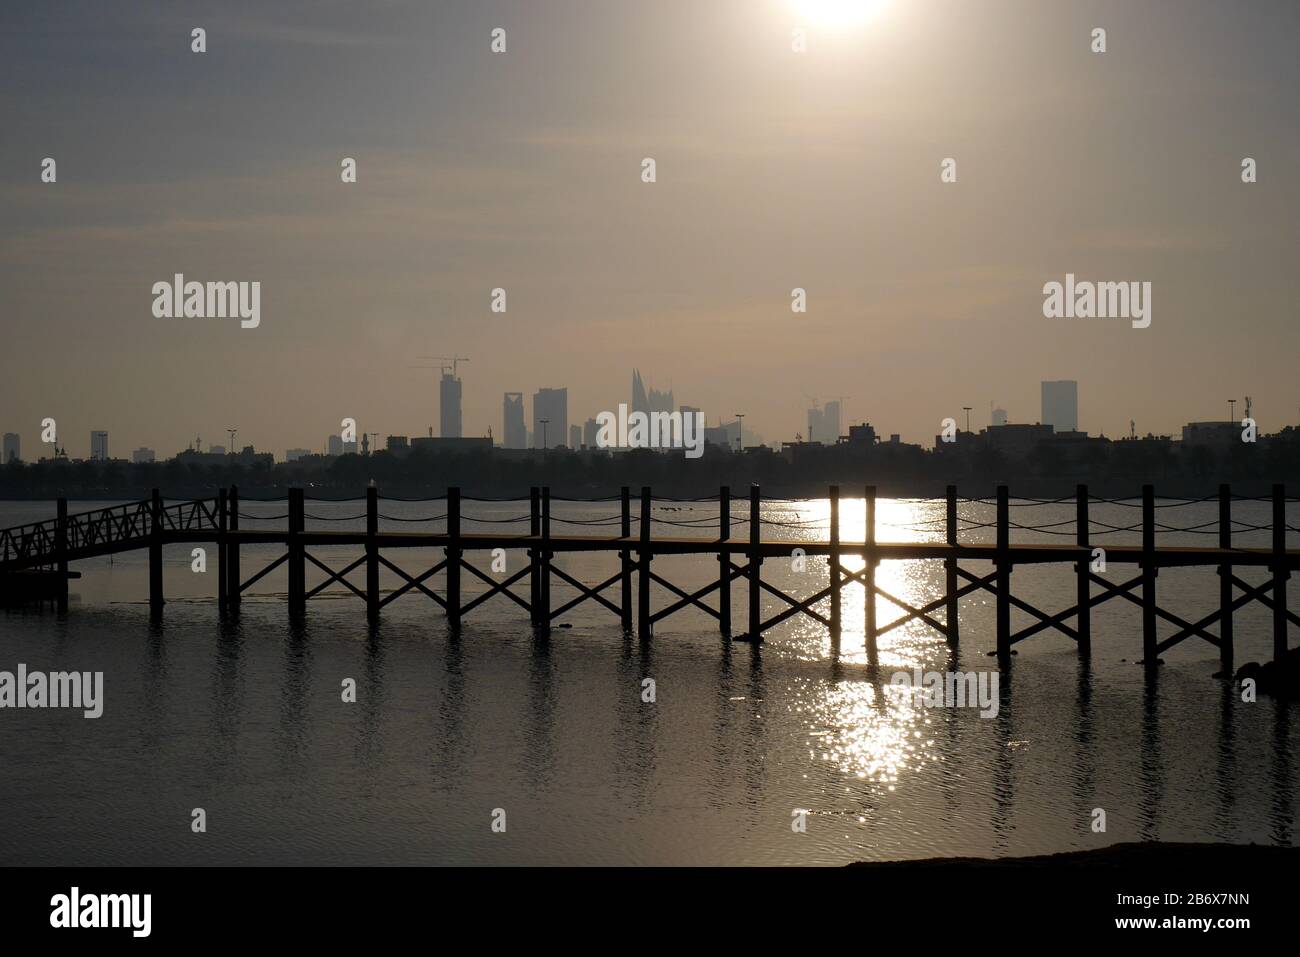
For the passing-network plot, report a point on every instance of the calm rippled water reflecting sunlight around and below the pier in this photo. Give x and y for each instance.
(245, 720)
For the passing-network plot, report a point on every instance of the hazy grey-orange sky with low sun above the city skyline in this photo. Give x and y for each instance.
(523, 171)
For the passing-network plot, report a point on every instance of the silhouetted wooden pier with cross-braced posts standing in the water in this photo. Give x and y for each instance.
(50, 547)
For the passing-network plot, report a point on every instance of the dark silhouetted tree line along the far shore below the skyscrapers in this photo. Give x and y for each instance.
(1050, 469)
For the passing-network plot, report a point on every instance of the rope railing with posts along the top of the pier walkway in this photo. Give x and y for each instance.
(135, 522)
